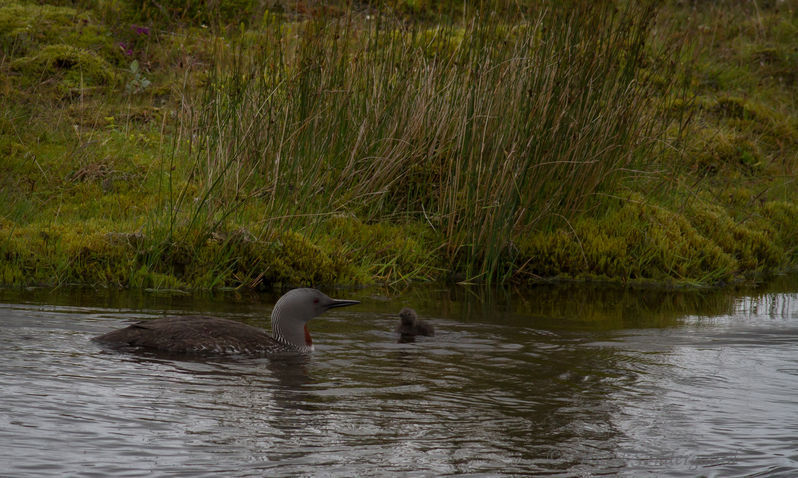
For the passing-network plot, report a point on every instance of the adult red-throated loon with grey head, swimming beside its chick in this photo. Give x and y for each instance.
(209, 335)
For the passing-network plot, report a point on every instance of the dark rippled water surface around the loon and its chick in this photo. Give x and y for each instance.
(556, 381)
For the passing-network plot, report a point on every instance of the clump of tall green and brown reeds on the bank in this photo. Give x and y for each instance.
(484, 129)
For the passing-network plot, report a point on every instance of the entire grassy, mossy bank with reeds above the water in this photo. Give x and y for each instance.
(242, 144)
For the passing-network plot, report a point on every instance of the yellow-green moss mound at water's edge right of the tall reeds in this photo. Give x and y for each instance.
(636, 242)
